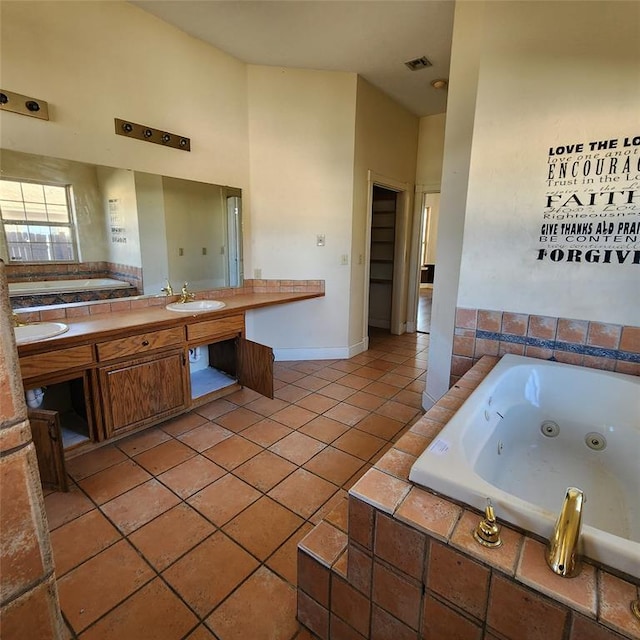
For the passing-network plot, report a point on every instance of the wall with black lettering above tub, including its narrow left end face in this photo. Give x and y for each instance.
(527, 76)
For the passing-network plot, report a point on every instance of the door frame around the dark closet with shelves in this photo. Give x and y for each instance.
(399, 286)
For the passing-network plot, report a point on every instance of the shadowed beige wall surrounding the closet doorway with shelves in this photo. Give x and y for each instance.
(386, 138)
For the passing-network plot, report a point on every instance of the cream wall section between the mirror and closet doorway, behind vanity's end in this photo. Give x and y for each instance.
(301, 129)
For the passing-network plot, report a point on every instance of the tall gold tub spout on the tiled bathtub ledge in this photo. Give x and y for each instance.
(562, 550)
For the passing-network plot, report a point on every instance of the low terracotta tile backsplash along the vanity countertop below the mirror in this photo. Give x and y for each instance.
(60, 312)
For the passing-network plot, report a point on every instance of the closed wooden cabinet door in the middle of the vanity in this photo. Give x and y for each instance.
(142, 391)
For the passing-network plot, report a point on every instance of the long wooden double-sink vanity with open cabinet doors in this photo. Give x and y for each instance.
(116, 373)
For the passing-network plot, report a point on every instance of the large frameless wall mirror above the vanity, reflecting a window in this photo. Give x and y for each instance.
(132, 232)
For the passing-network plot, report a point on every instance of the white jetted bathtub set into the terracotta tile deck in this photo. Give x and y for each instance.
(531, 429)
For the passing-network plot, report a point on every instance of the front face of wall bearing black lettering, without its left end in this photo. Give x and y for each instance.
(551, 74)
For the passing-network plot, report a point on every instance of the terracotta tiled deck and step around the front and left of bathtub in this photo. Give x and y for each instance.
(404, 565)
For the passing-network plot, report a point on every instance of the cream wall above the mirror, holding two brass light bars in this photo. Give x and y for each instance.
(95, 61)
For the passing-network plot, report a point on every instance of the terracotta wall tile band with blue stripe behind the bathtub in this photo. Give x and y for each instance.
(480, 332)
